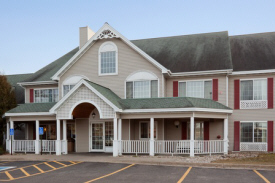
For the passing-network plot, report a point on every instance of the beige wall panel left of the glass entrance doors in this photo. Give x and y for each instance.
(82, 135)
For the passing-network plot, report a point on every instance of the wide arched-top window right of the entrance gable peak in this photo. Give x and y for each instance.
(142, 84)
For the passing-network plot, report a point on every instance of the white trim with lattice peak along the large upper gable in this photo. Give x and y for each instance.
(105, 32)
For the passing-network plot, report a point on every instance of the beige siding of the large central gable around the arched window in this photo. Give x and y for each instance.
(129, 61)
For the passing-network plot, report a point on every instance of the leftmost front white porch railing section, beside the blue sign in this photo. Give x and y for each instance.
(24, 146)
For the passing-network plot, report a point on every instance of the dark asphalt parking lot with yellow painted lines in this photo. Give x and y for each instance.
(72, 171)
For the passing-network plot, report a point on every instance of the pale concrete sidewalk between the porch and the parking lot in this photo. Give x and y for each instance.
(147, 160)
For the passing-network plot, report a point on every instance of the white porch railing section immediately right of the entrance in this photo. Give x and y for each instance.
(134, 146)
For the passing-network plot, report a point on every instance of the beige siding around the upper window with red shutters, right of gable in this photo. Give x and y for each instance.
(221, 85)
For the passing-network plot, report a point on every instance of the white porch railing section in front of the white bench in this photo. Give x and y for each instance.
(172, 146)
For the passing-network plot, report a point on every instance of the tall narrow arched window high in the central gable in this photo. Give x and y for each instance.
(108, 59)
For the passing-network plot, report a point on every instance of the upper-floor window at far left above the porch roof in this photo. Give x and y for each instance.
(46, 95)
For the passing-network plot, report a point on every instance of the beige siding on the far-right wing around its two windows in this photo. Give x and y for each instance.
(246, 114)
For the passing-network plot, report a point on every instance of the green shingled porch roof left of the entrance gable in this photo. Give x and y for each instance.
(32, 107)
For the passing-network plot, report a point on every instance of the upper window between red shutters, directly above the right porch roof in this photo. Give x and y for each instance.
(198, 89)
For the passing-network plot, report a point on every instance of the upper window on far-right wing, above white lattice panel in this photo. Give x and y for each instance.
(254, 89)
